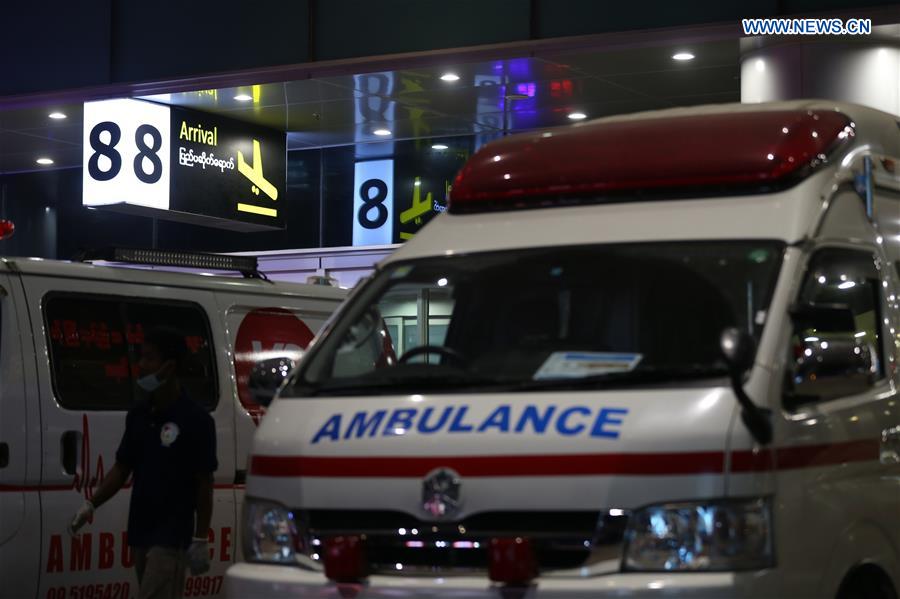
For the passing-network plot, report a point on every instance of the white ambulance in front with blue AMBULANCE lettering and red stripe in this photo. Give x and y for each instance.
(649, 355)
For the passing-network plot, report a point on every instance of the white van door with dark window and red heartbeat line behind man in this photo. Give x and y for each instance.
(88, 336)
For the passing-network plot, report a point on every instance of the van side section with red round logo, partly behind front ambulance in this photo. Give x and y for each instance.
(258, 328)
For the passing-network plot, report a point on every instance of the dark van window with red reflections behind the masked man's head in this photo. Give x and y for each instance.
(95, 344)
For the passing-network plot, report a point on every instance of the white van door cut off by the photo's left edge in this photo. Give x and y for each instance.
(19, 449)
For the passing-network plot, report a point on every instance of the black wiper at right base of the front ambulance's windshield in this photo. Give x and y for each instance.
(647, 374)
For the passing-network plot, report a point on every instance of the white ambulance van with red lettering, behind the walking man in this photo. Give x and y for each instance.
(70, 338)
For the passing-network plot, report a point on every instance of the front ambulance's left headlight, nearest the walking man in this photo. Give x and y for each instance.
(270, 533)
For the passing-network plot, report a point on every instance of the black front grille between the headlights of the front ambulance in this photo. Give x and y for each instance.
(397, 543)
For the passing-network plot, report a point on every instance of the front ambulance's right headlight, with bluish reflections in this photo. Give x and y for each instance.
(709, 536)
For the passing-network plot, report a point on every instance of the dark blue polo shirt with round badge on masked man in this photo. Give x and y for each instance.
(166, 451)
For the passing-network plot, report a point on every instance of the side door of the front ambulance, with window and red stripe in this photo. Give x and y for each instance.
(836, 488)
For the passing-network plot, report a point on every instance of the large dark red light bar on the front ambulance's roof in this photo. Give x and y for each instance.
(699, 154)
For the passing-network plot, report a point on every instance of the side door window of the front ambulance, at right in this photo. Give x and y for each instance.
(837, 342)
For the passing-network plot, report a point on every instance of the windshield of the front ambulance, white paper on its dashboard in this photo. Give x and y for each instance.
(545, 317)
